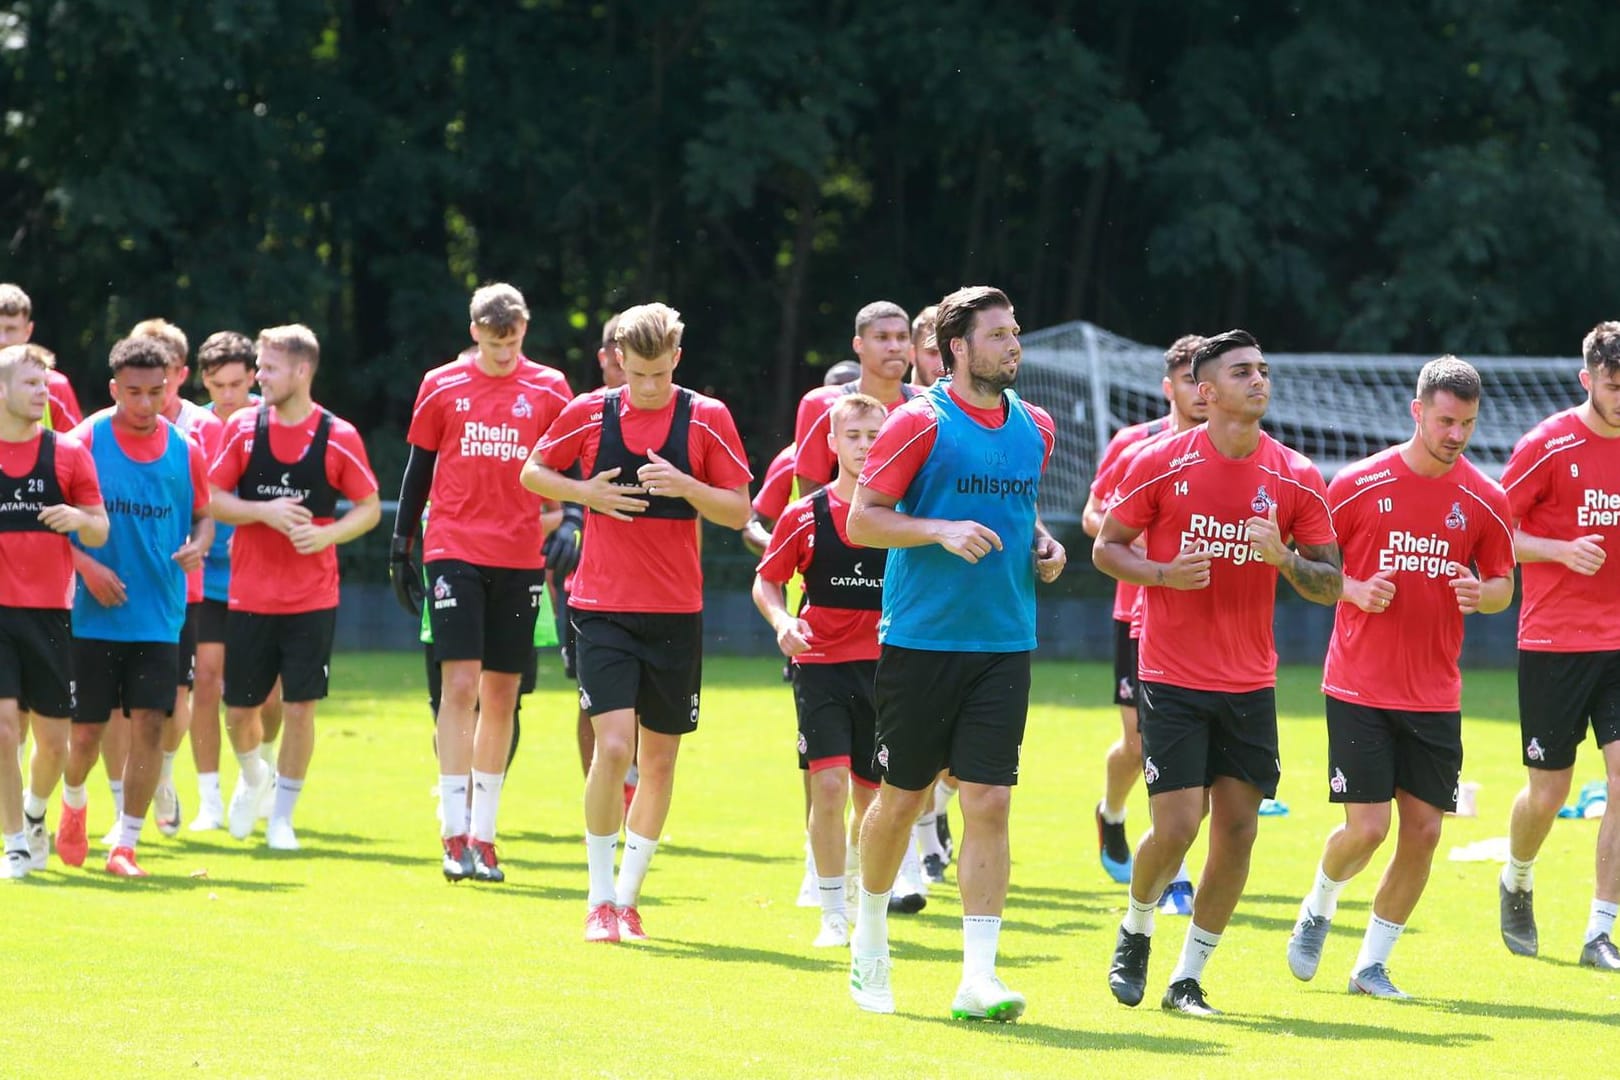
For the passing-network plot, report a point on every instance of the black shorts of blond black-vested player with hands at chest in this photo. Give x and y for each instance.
(650, 663)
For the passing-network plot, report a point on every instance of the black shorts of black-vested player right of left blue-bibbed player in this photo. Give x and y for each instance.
(263, 648)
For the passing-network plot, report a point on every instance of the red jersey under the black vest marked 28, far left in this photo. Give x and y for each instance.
(36, 569)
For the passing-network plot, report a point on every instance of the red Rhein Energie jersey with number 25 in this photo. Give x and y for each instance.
(482, 430)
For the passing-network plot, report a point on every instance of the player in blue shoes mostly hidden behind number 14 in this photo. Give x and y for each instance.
(1123, 763)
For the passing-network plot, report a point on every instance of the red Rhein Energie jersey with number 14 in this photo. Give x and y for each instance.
(1183, 491)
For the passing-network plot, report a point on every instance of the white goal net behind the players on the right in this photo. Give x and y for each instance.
(1332, 407)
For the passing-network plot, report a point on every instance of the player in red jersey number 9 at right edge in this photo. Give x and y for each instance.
(1564, 487)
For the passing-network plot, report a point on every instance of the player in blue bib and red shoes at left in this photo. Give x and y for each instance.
(129, 616)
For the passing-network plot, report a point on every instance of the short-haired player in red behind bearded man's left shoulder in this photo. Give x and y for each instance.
(884, 349)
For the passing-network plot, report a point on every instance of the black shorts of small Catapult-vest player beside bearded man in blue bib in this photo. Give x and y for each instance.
(838, 718)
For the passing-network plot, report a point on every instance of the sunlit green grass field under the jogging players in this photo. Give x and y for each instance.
(354, 958)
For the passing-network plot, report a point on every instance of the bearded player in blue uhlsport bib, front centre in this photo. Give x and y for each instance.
(958, 631)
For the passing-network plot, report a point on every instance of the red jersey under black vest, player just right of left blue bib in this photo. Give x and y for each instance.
(268, 576)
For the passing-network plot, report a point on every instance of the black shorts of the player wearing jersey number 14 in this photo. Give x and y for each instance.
(1193, 736)
